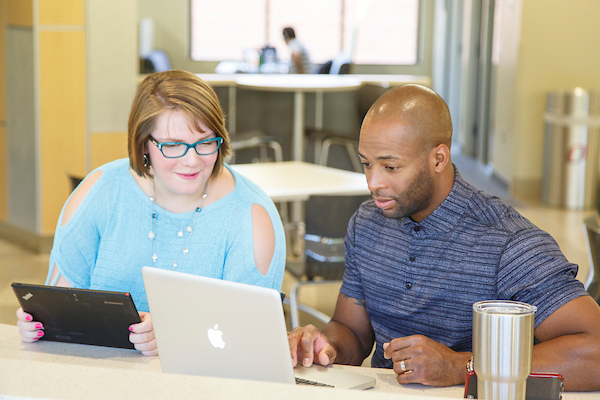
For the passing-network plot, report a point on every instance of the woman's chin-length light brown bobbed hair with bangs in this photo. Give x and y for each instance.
(173, 90)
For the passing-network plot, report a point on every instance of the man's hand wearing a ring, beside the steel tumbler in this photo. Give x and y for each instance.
(426, 361)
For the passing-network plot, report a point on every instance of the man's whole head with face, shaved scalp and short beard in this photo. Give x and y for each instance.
(405, 149)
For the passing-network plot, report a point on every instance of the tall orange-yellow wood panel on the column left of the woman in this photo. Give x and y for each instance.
(62, 118)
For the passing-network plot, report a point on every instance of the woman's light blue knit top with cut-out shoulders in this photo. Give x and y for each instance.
(105, 244)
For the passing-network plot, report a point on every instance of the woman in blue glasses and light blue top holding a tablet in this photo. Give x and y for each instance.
(173, 204)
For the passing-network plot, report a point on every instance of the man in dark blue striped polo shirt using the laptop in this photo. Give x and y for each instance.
(428, 246)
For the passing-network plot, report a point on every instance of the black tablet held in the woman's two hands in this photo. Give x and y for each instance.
(83, 316)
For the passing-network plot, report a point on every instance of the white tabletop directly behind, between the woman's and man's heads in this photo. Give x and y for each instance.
(298, 180)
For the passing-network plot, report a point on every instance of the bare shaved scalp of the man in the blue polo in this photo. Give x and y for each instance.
(419, 107)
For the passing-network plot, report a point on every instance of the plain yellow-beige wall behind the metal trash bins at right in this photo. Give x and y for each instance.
(559, 49)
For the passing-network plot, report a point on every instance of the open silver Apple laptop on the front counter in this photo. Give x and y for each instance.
(211, 327)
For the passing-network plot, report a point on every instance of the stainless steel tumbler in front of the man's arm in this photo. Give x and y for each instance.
(502, 348)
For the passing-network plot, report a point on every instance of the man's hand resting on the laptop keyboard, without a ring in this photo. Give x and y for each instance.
(307, 341)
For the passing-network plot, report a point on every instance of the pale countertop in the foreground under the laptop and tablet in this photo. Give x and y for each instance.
(51, 370)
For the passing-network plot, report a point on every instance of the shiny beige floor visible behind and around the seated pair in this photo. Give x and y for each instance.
(18, 264)
